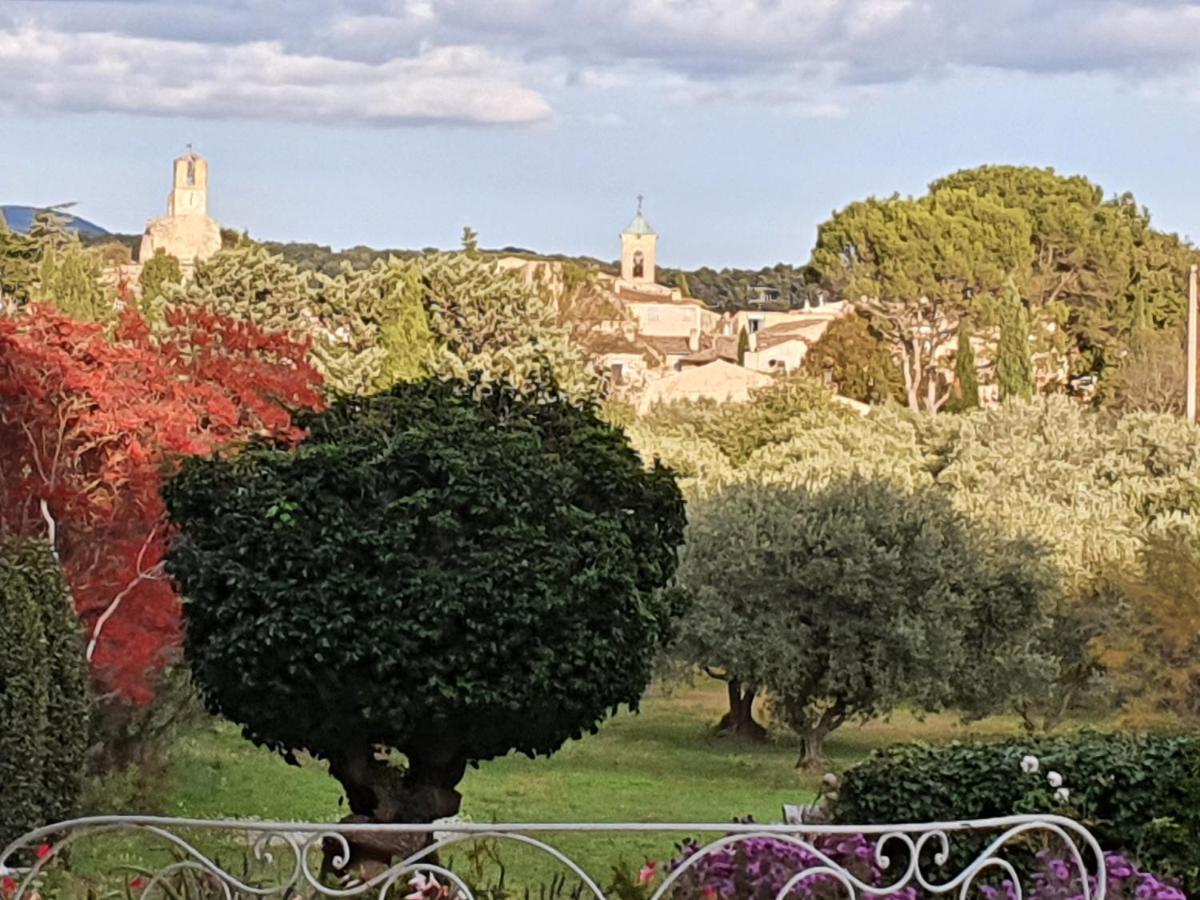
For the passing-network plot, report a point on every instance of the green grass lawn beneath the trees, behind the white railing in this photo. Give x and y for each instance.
(663, 764)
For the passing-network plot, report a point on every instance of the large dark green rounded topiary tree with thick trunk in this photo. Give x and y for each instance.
(447, 571)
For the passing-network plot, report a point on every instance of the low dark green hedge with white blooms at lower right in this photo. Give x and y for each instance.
(1139, 795)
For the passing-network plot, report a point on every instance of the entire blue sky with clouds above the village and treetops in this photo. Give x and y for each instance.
(745, 123)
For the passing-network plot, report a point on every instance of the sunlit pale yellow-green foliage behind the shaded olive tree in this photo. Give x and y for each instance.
(1093, 493)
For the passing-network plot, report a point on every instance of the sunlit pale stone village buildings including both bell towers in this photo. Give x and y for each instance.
(653, 344)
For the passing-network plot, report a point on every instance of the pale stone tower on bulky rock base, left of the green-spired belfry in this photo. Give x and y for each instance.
(187, 232)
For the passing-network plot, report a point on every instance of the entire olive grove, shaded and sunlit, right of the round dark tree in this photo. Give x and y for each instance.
(1039, 559)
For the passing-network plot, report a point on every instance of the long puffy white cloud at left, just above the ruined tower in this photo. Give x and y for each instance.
(88, 71)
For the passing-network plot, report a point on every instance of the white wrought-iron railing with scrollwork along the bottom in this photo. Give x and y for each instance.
(298, 857)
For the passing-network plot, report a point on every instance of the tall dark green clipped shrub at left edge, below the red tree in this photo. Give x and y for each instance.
(44, 700)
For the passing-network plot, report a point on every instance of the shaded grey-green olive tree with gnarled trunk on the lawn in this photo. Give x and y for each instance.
(850, 601)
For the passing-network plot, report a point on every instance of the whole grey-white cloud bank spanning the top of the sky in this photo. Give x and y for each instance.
(489, 62)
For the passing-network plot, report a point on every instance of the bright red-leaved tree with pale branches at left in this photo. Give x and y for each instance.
(89, 425)
